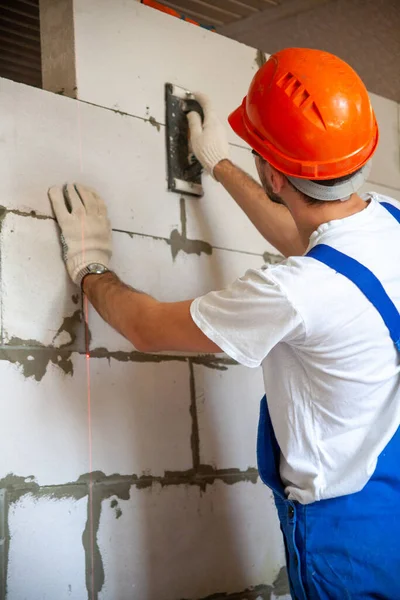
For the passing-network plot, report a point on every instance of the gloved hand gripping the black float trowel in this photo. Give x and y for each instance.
(208, 139)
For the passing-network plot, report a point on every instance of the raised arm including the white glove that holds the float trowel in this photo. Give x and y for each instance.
(210, 145)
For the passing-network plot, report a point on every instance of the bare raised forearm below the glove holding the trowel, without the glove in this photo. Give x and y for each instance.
(273, 221)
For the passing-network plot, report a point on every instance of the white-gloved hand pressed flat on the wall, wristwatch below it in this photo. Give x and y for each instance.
(85, 228)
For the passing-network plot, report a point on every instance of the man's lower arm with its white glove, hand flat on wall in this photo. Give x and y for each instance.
(150, 325)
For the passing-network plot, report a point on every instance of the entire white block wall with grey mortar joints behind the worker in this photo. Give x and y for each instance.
(129, 477)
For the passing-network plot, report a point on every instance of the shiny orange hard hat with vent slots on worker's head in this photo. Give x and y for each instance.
(309, 115)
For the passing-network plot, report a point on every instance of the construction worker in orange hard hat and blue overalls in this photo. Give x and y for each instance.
(324, 323)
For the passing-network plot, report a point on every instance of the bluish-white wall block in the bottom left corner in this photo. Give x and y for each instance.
(46, 555)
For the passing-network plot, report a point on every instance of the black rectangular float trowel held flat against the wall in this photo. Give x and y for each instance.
(184, 170)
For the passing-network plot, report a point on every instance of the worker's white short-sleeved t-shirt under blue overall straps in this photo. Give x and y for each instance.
(331, 370)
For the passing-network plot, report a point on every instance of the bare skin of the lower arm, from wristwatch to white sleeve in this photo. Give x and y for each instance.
(150, 325)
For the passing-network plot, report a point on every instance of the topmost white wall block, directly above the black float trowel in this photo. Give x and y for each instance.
(137, 50)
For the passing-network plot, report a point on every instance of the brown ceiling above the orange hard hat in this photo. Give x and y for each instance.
(365, 33)
